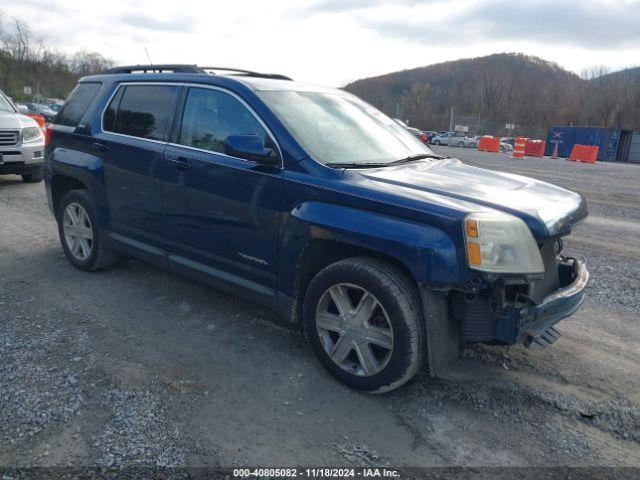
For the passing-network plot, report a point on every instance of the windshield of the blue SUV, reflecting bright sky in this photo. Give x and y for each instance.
(336, 128)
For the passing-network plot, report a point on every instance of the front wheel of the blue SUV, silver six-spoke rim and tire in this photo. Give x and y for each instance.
(398, 305)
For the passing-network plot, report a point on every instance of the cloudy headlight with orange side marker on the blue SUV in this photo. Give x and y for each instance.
(501, 243)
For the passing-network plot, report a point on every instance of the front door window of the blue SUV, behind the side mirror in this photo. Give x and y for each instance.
(210, 116)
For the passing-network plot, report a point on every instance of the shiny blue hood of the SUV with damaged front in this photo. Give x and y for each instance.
(546, 208)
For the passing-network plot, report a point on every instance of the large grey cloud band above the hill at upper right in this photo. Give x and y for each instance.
(575, 23)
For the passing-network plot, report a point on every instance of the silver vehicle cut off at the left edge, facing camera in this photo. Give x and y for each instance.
(21, 143)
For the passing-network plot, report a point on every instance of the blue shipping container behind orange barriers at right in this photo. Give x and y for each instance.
(607, 139)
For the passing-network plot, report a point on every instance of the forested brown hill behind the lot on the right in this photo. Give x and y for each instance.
(505, 88)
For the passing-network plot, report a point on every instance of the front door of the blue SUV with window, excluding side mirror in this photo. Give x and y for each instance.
(221, 212)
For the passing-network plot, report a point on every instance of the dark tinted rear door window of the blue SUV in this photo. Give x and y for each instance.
(141, 111)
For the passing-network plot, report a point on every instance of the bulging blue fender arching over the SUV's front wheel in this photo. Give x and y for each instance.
(426, 251)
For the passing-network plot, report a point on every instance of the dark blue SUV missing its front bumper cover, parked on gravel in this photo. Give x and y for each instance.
(315, 204)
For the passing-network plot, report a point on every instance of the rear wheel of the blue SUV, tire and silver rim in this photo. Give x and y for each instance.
(97, 257)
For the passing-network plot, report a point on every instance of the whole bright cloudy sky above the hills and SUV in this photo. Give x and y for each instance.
(333, 42)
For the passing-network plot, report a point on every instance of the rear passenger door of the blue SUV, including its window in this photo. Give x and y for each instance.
(135, 125)
